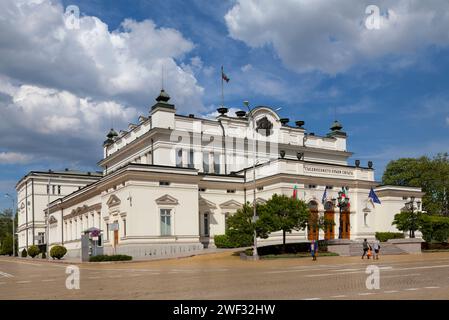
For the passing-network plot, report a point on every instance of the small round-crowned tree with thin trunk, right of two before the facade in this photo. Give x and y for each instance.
(287, 214)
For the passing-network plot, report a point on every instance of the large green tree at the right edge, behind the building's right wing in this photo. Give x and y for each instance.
(432, 175)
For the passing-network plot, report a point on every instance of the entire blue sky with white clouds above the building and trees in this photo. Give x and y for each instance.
(61, 87)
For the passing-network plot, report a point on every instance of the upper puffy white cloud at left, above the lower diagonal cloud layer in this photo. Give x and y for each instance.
(125, 64)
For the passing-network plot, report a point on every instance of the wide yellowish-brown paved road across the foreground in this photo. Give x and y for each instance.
(223, 276)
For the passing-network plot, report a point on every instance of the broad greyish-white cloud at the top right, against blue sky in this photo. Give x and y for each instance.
(330, 35)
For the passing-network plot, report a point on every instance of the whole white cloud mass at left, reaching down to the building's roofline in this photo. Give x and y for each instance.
(61, 89)
